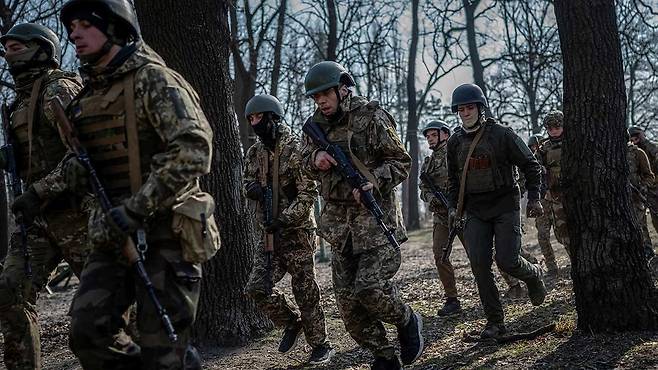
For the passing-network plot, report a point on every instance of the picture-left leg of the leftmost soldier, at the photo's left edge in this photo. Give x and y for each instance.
(18, 296)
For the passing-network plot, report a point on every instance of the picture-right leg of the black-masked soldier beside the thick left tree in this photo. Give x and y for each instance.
(305, 288)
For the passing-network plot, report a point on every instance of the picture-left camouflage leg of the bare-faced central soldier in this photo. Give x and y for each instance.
(367, 331)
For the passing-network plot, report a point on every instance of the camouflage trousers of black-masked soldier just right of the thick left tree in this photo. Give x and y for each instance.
(292, 254)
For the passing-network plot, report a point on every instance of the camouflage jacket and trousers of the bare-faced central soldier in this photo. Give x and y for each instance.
(363, 261)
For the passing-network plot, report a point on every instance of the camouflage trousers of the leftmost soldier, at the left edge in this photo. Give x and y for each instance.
(62, 236)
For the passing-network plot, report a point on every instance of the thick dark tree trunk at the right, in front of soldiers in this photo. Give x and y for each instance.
(611, 281)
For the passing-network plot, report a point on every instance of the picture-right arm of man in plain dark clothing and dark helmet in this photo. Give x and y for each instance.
(522, 157)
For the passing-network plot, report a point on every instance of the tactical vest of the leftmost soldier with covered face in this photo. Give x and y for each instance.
(32, 134)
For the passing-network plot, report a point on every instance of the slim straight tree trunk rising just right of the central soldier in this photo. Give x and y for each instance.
(413, 217)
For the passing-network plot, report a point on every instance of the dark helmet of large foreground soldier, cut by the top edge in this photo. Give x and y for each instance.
(118, 13)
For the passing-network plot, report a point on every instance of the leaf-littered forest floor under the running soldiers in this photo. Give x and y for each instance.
(445, 348)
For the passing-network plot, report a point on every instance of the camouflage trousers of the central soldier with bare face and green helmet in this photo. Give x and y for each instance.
(366, 297)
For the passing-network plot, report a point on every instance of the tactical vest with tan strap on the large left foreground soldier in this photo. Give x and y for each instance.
(120, 150)
